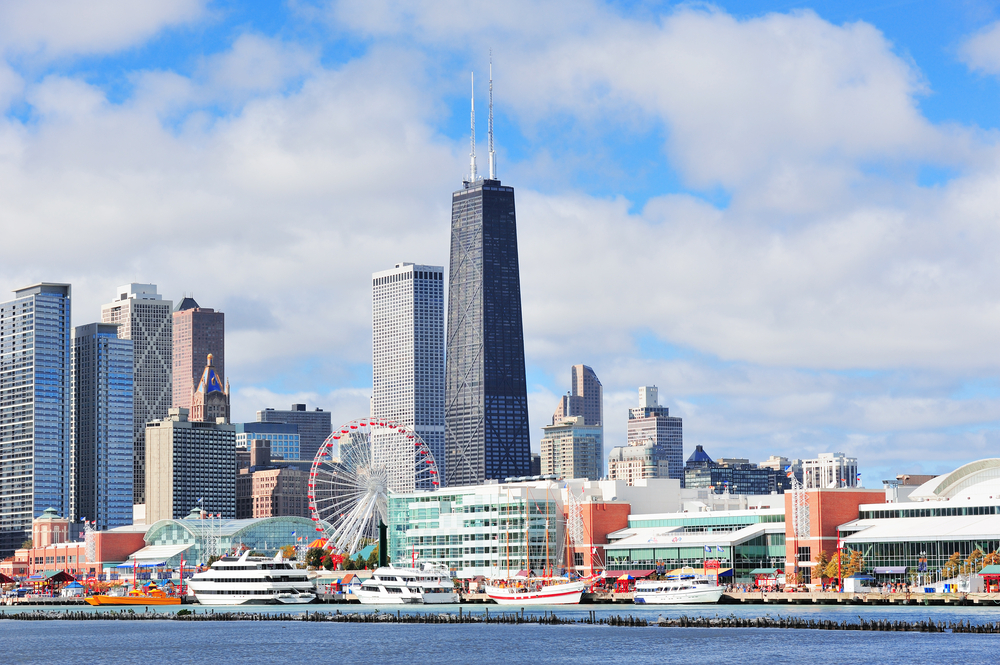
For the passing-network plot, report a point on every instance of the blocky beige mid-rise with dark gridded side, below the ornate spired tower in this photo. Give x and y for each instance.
(189, 465)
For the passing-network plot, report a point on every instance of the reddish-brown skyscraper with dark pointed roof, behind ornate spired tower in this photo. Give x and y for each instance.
(198, 332)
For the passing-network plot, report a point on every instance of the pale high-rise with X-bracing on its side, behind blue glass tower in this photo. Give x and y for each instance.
(145, 319)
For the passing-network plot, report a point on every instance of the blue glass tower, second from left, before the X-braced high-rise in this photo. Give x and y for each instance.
(102, 425)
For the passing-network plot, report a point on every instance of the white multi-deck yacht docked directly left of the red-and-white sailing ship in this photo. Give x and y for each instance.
(392, 585)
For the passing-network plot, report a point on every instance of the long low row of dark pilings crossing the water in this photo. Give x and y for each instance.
(548, 618)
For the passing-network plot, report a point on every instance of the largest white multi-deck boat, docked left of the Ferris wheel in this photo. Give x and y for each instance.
(250, 579)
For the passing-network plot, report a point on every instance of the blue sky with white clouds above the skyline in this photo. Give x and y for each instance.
(784, 215)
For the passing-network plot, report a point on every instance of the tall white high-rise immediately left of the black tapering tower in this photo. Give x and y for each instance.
(408, 359)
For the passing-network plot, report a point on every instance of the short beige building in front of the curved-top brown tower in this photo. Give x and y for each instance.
(572, 449)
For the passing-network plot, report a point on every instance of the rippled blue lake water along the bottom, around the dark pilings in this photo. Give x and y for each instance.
(263, 643)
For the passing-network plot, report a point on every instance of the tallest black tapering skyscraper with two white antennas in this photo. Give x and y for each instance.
(486, 402)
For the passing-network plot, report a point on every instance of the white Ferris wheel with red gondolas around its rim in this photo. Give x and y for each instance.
(353, 473)
